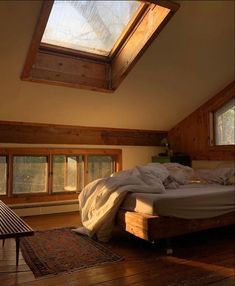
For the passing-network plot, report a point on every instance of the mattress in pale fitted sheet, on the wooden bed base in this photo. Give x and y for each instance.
(189, 201)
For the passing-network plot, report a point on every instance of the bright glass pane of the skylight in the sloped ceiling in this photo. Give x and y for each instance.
(90, 26)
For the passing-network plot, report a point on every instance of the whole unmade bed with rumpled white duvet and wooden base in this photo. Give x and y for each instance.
(157, 201)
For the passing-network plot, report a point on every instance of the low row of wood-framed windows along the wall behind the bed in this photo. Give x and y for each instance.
(52, 174)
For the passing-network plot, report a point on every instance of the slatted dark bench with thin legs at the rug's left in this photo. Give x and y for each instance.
(12, 226)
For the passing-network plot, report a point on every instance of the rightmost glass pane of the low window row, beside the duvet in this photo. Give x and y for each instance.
(99, 166)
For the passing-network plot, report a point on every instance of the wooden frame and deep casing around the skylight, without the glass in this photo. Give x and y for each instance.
(61, 66)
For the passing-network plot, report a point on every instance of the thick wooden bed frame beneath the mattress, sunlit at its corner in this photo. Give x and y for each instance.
(152, 228)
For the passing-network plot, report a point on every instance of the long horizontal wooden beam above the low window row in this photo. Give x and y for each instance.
(35, 133)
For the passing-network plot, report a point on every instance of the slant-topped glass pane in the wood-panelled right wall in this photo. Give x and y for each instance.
(224, 124)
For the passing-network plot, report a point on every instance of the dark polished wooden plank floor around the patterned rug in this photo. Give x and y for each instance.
(206, 258)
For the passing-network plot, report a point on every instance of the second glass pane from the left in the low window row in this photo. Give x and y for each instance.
(30, 174)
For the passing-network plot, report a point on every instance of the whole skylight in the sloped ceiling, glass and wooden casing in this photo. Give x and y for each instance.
(93, 44)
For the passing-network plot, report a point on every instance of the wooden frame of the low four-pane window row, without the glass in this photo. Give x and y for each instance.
(11, 198)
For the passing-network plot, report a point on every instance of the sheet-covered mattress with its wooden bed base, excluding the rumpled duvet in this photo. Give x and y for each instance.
(188, 209)
